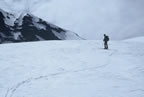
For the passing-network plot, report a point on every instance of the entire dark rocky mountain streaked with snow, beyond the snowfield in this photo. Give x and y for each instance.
(28, 27)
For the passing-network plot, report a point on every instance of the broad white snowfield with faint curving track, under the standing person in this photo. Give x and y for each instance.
(72, 69)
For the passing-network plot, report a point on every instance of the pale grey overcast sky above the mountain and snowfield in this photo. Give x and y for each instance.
(89, 18)
